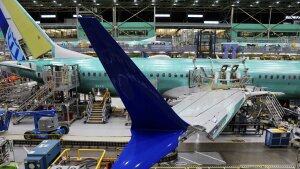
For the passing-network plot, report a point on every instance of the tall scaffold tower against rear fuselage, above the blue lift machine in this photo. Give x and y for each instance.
(63, 81)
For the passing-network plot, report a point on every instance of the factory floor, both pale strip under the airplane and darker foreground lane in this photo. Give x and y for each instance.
(198, 149)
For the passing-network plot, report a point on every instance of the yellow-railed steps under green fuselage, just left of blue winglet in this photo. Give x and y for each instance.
(97, 113)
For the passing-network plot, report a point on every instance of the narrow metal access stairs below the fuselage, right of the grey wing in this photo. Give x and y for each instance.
(275, 109)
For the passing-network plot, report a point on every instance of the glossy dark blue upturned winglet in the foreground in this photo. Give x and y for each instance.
(155, 126)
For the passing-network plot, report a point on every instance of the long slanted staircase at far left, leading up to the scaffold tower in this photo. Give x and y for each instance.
(33, 102)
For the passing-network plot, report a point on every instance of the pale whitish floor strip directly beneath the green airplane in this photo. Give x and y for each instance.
(116, 131)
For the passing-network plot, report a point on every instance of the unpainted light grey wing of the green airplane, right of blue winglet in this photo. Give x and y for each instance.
(212, 109)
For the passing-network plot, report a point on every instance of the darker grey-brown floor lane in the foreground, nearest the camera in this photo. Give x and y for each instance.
(224, 154)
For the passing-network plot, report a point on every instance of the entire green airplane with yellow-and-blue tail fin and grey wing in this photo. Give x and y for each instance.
(173, 78)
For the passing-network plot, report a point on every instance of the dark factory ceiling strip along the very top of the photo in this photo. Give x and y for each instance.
(177, 4)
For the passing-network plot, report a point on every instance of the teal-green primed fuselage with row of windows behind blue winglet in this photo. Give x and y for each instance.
(276, 76)
